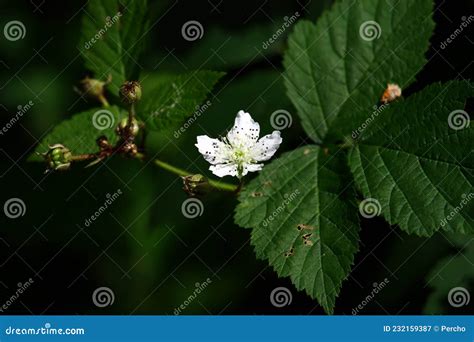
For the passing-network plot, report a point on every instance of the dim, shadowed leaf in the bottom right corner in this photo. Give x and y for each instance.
(451, 274)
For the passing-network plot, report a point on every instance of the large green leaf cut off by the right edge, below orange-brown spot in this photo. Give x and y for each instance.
(417, 166)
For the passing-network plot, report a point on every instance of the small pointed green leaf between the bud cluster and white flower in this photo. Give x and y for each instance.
(169, 99)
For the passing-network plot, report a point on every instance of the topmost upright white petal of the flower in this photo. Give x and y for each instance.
(245, 131)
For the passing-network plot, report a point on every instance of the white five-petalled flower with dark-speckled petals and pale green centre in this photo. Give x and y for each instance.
(241, 151)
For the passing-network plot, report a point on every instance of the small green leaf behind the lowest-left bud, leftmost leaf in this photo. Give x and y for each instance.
(79, 133)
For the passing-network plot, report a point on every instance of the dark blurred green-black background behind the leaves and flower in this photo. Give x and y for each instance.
(143, 248)
